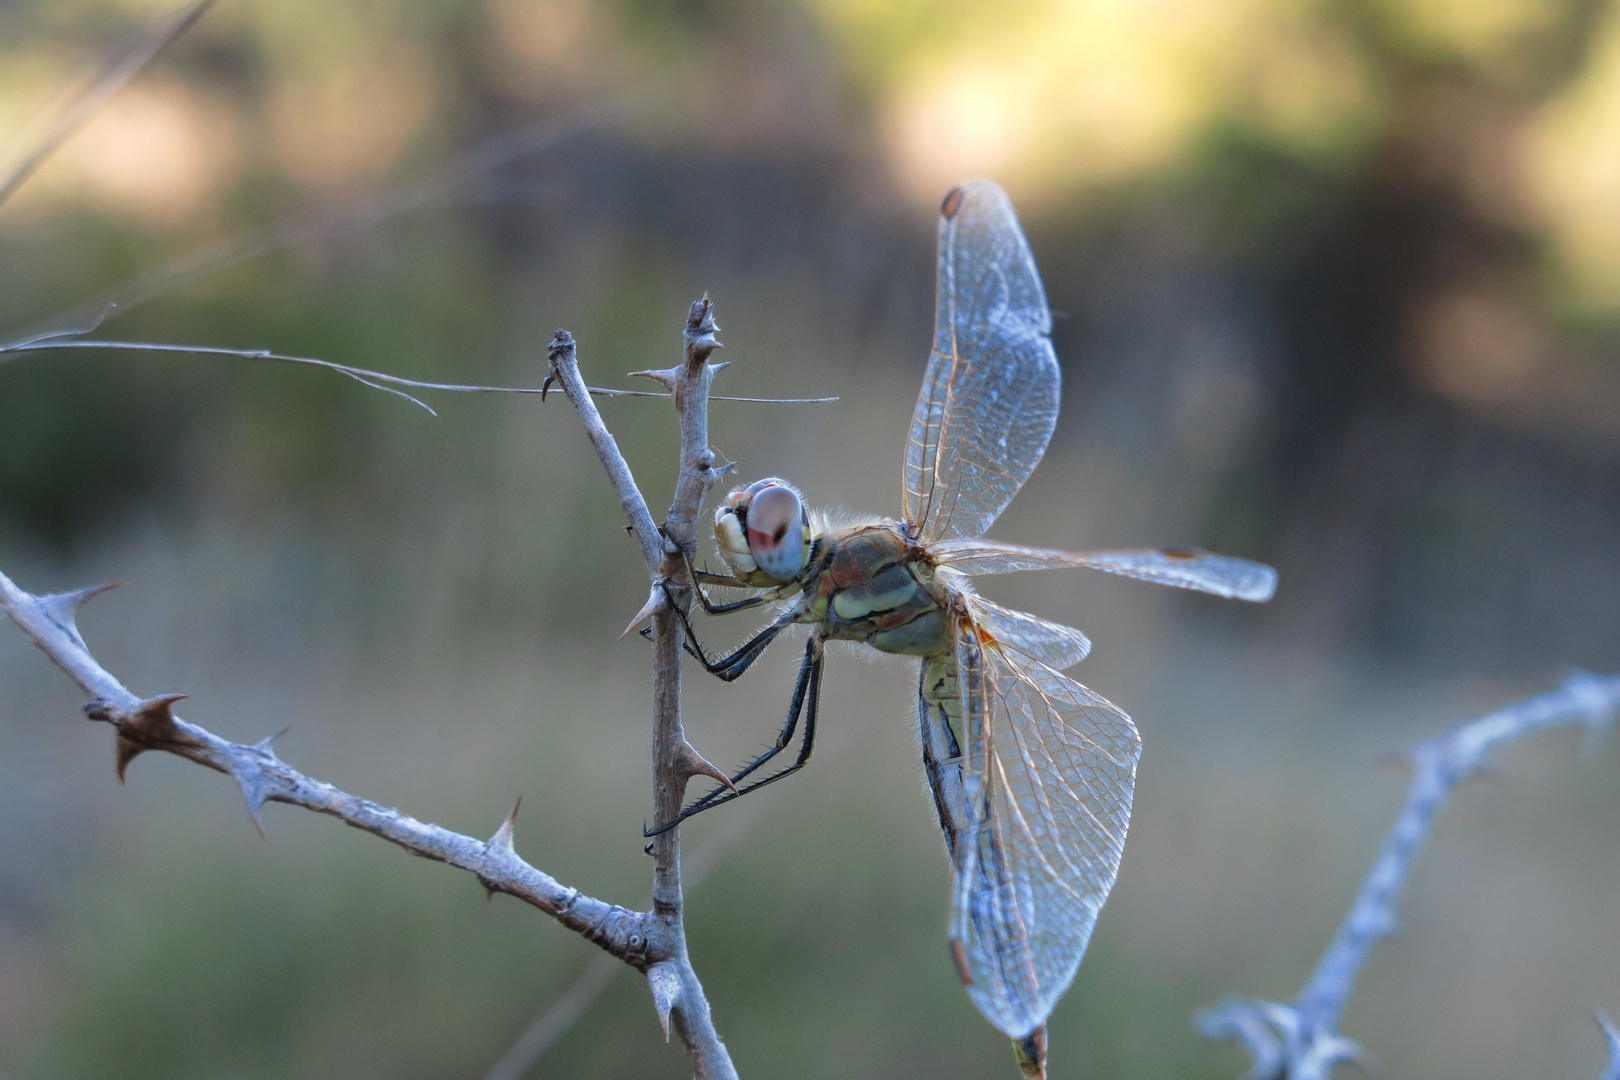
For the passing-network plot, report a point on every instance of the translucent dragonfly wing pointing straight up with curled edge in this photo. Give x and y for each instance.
(989, 399)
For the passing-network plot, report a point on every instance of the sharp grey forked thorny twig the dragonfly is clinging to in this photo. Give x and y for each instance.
(650, 942)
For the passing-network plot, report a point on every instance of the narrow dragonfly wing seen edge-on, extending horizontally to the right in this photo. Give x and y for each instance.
(1182, 568)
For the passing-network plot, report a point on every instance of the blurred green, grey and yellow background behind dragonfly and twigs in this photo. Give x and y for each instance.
(1337, 287)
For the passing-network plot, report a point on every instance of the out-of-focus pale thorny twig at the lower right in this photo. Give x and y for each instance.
(1302, 1040)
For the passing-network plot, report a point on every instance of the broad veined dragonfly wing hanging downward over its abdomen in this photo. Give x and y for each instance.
(1034, 799)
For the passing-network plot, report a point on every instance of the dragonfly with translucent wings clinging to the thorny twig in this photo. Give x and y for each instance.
(1031, 773)
